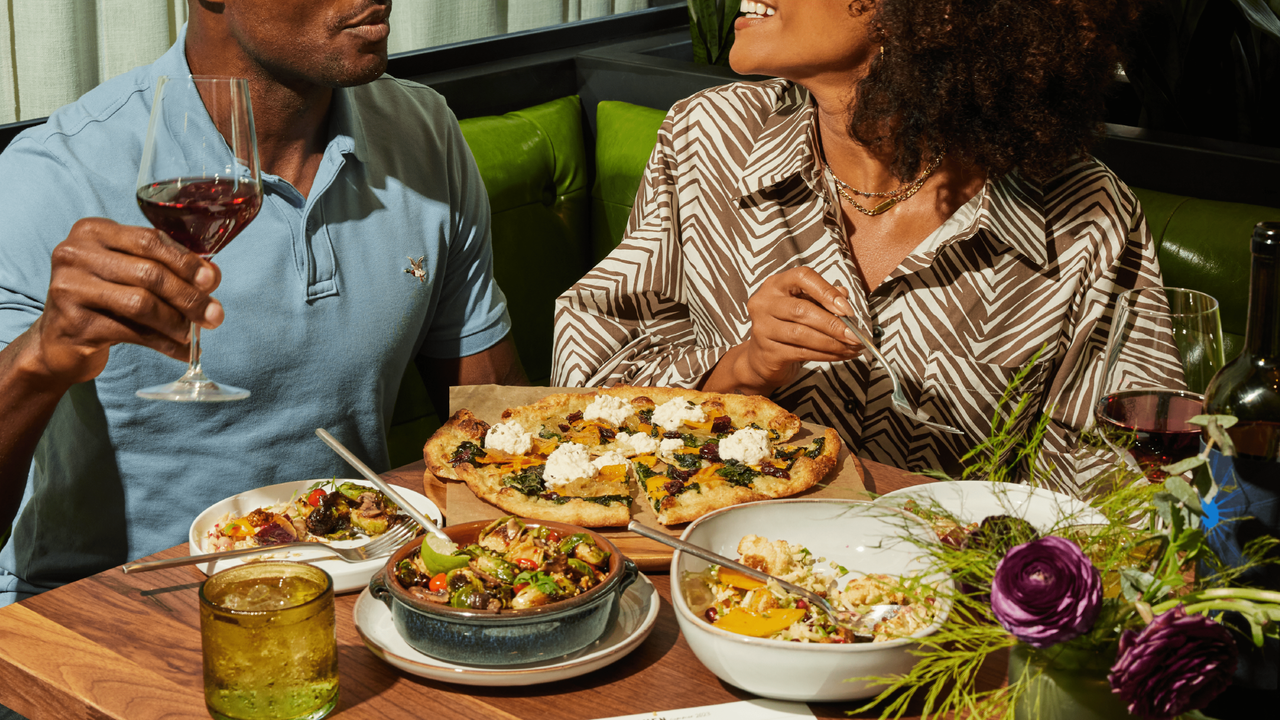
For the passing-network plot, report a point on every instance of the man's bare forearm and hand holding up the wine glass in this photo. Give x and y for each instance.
(109, 285)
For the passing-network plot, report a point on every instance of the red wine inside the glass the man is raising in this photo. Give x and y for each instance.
(203, 215)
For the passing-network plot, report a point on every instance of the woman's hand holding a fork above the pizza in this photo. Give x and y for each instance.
(796, 318)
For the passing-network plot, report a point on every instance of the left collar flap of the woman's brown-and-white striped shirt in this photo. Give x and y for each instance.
(785, 145)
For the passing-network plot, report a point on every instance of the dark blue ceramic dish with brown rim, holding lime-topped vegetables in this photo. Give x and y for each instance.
(511, 637)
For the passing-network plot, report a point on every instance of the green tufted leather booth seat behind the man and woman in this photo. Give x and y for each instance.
(547, 233)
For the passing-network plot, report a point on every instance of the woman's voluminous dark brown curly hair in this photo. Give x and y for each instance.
(999, 84)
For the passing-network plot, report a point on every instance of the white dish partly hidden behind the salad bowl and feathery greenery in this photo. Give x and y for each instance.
(973, 500)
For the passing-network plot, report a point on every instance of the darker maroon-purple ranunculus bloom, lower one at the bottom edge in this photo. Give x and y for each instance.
(1177, 664)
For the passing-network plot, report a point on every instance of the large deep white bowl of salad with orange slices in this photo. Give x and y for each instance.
(760, 639)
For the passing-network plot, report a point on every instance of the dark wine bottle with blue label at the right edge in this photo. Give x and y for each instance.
(1249, 505)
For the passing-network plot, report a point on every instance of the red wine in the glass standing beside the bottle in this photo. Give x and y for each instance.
(1153, 426)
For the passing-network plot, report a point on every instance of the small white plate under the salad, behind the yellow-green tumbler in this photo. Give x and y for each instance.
(346, 576)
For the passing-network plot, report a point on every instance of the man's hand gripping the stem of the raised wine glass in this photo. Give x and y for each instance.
(115, 284)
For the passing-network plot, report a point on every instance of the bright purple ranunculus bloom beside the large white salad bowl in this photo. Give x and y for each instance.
(1046, 593)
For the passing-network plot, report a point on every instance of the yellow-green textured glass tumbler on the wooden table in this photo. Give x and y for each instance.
(269, 642)
